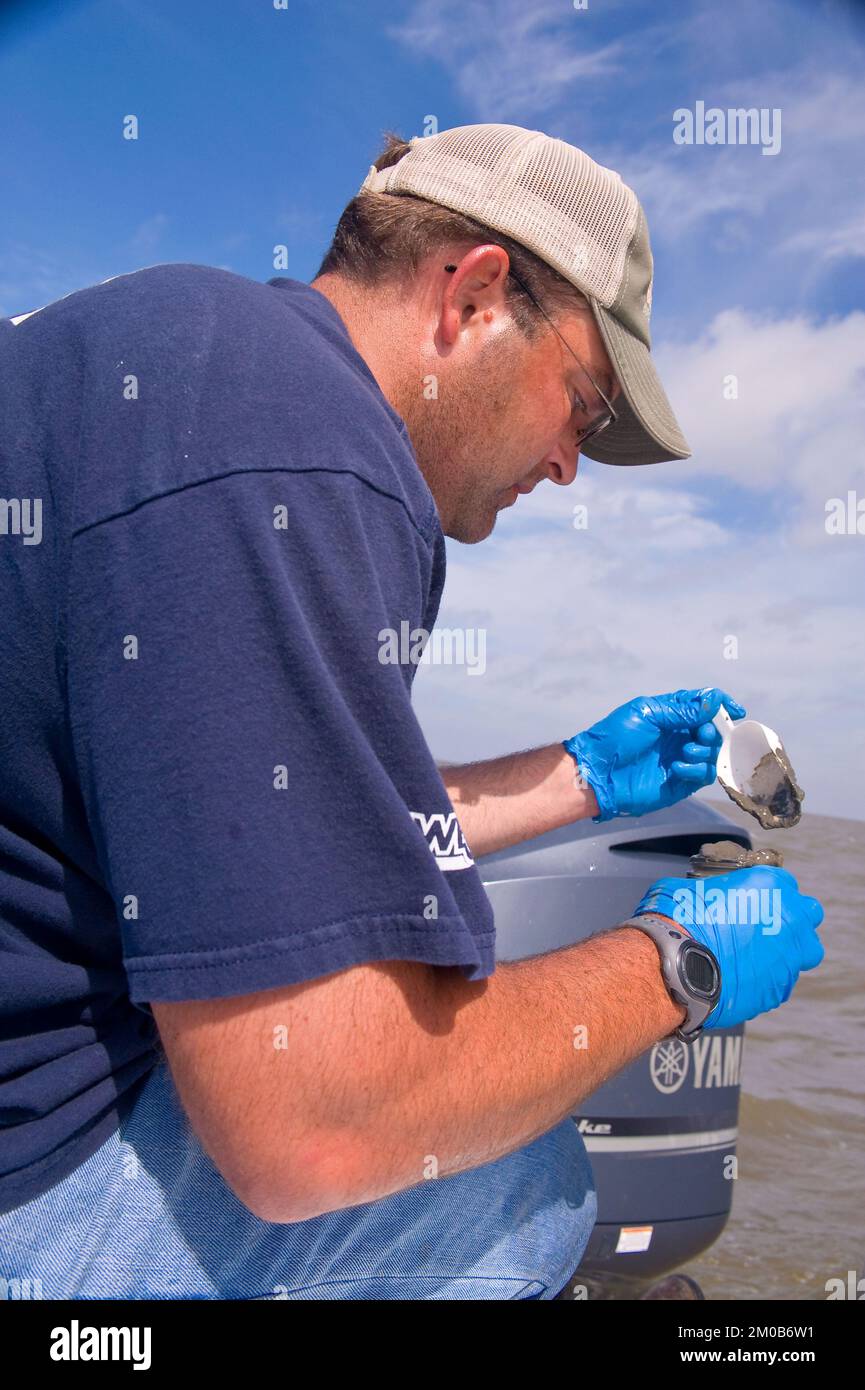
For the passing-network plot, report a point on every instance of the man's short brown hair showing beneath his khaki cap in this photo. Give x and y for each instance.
(380, 236)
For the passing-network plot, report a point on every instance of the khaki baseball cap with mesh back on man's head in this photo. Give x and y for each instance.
(586, 223)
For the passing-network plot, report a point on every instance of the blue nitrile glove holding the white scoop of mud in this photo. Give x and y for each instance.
(653, 753)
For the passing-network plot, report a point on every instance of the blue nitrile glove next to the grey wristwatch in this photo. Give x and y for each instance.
(760, 928)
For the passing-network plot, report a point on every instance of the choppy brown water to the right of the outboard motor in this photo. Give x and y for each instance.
(799, 1202)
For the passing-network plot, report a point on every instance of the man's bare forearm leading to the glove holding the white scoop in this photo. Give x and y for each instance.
(508, 800)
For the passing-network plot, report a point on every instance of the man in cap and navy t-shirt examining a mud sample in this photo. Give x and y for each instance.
(252, 1038)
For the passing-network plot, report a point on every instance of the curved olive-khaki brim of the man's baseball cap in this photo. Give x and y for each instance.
(646, 429)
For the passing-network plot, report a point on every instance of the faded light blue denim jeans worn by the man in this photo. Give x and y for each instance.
(149, 1217)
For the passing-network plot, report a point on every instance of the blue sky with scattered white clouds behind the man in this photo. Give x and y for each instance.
(259, 124)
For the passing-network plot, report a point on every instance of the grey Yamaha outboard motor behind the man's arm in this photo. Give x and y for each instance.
(661, 1135)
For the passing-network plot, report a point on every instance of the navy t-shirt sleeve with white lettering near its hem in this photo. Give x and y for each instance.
(262, 799)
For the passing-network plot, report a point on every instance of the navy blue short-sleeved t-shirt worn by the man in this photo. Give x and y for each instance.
(211, 780)
